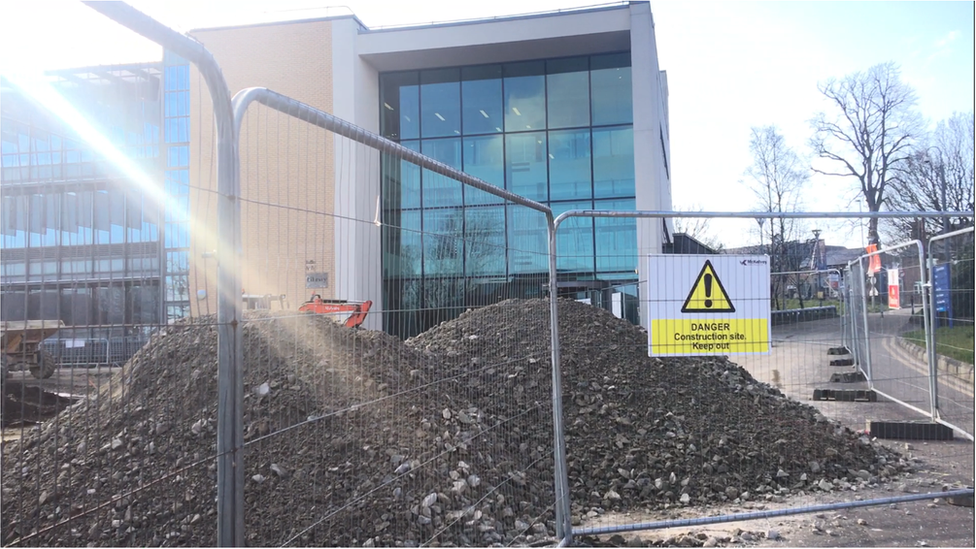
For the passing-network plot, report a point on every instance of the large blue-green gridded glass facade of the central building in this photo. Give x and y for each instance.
(558, 131)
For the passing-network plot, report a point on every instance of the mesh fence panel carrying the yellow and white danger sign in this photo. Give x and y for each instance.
(703, 422)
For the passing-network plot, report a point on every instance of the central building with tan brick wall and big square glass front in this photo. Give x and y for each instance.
(567, 108)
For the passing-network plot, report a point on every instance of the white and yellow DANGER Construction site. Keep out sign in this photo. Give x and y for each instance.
(708, 305)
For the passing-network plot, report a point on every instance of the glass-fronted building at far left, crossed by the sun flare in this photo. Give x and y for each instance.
(83, 241)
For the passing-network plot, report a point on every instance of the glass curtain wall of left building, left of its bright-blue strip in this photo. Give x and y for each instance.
(79, 241)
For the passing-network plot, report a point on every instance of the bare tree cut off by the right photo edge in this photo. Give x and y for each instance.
(938, 176)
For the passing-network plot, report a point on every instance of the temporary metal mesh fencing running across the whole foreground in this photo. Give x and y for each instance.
(529, 422)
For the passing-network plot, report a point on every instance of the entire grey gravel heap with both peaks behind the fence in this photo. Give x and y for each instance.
(443, 439)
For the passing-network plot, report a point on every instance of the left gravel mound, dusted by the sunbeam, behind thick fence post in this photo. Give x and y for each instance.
(152, 431)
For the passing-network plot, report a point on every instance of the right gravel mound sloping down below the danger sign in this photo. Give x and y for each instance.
(648, 432)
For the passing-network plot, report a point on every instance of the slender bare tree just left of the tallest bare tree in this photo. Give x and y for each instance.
(777, 181)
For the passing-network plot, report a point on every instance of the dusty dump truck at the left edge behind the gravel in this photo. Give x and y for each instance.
(21, 341)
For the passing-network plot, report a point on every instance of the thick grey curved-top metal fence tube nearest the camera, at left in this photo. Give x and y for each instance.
(230, 374)
